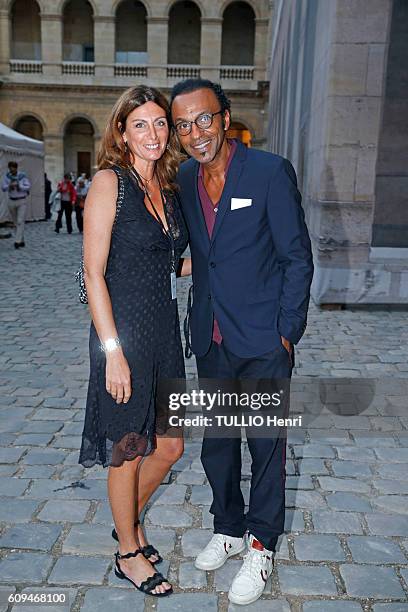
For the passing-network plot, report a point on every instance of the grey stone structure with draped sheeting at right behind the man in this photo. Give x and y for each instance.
(338, 109)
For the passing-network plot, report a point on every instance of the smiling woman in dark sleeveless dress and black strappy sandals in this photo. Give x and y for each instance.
(134, 235)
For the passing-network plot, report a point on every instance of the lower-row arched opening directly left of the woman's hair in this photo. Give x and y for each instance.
(79, 147)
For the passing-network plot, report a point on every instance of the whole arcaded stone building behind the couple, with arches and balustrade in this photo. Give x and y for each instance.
(64, 63)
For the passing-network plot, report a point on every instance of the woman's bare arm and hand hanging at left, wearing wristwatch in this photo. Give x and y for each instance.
(99, 215)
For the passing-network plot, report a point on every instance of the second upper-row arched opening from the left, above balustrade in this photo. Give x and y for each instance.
(78, 32)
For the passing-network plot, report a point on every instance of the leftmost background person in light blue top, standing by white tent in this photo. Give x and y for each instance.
(18, 188)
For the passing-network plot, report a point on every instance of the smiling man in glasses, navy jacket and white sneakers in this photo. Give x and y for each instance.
(252, 269)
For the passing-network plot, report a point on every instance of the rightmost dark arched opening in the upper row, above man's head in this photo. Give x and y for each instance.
(238, 35)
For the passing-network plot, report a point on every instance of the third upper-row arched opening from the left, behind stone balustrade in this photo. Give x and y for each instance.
(131, 33)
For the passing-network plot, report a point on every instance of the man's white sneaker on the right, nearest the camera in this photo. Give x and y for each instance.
(249, 583)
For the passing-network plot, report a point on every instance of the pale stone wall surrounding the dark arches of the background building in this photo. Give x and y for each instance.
(55, 97)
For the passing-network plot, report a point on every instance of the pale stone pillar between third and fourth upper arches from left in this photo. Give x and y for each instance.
(157, 39)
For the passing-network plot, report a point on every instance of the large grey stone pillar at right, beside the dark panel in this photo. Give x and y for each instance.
(345, 127)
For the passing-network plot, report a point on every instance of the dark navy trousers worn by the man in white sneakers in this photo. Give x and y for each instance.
(221, 458)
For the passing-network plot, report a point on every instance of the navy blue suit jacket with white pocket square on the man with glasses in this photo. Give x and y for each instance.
(254, 274)
